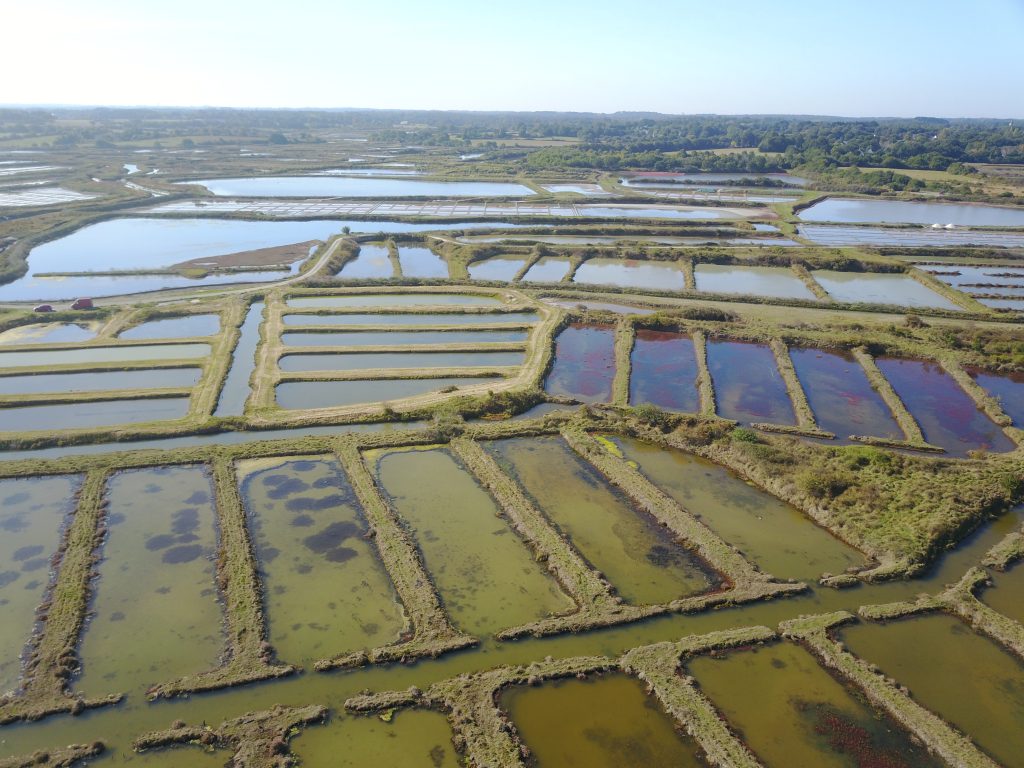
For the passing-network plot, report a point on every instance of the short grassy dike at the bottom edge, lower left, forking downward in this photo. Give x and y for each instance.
(259, 740)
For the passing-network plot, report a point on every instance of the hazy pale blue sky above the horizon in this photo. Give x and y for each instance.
(865, 58)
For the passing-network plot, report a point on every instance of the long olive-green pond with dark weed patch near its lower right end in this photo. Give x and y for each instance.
(637, 556)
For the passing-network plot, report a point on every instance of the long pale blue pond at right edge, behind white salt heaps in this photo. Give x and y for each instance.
(903, 212)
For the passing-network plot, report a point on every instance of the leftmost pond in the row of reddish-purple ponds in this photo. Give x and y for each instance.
(584, 365)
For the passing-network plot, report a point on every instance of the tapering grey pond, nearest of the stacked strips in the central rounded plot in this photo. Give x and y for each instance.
(307, 395)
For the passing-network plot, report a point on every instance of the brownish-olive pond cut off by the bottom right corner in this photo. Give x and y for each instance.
(980, 691)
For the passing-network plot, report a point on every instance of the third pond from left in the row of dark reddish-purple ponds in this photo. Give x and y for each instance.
(748, 385)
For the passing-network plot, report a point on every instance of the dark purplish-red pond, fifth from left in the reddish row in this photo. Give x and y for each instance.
(947, 415)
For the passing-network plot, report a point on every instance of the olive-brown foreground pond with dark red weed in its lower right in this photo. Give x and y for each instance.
(792, 712)
